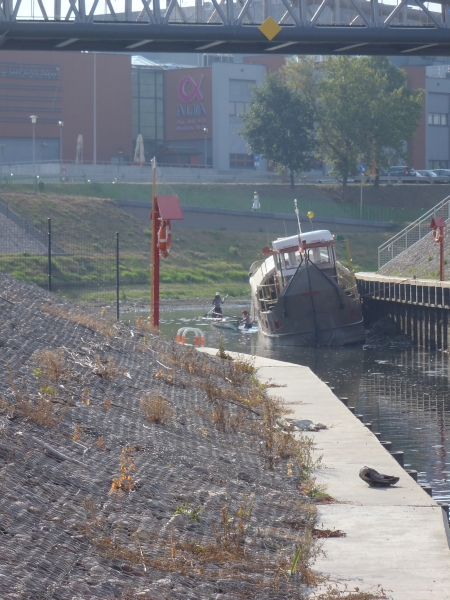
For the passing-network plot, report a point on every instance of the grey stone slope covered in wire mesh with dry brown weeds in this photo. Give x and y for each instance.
(195, 511)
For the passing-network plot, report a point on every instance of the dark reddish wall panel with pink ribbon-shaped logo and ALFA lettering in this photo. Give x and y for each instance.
(188, 103)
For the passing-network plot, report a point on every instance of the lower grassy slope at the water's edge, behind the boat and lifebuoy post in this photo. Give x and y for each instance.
(201, 262)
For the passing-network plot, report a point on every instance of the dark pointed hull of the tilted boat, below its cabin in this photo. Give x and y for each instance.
(312, 310)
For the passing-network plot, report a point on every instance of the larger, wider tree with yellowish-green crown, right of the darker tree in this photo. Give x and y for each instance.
(361, 108)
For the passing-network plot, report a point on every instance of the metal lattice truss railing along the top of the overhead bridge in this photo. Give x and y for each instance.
(358, 13)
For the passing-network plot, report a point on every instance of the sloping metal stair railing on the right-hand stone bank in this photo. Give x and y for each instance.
(412, 233)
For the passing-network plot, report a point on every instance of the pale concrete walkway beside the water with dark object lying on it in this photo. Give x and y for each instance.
(396, 537)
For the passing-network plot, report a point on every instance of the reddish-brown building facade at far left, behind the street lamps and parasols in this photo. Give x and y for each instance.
(60, 88)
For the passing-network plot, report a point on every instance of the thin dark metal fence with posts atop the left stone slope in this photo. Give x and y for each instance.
(76, 268)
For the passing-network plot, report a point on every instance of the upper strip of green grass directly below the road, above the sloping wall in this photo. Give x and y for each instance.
(322, 200)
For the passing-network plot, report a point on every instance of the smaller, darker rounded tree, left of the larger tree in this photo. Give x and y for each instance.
(279, 126)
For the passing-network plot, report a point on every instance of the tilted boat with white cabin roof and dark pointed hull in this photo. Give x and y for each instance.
(301, 294)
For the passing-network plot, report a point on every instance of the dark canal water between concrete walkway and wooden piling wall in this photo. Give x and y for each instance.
(403, 391)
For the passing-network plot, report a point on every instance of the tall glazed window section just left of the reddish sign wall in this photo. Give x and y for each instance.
(148, 109)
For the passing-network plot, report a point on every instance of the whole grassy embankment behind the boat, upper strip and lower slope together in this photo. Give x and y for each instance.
(201, 261)
